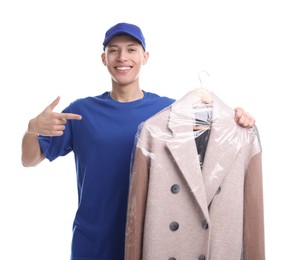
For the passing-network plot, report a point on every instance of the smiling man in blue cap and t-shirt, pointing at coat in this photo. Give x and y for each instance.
(100, 131)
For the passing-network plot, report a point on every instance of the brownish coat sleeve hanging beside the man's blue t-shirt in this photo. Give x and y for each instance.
(136, 205)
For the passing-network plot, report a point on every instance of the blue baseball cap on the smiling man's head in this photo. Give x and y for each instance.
(125, 28)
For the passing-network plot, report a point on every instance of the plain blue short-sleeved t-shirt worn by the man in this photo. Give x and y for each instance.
(102, 143)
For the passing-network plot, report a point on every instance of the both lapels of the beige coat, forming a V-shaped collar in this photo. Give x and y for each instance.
(221, 148)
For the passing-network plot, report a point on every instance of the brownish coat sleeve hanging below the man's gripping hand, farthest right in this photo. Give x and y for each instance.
(254, 247)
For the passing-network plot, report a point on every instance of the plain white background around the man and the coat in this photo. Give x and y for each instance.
(51, 48)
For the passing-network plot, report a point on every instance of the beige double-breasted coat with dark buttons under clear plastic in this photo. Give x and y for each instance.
(176, 210)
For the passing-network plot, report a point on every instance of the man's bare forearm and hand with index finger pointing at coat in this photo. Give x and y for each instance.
(47, 123)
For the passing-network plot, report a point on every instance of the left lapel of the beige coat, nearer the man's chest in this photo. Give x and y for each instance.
(183, 148)
